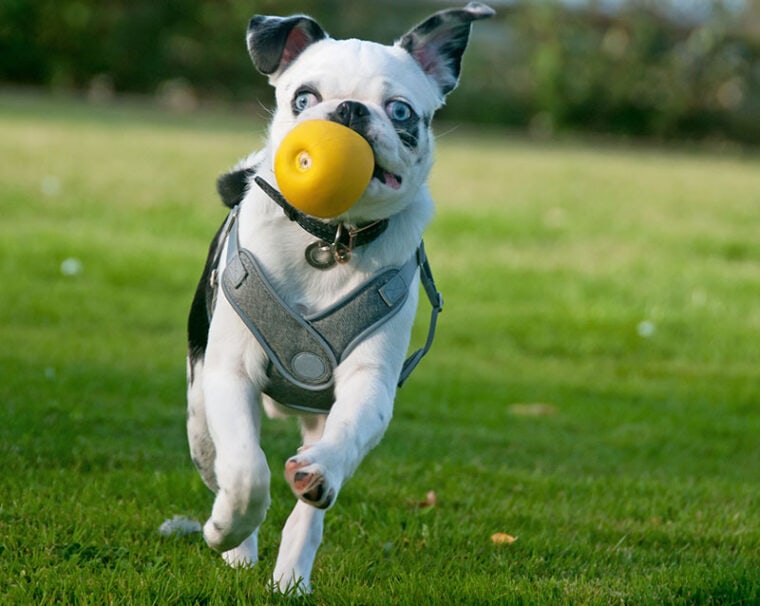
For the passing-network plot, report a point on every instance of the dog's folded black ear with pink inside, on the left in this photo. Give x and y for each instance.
(274, 42)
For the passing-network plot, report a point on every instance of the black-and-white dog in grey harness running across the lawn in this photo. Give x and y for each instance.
(302, 272)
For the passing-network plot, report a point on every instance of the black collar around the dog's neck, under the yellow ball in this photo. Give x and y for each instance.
(339, 235)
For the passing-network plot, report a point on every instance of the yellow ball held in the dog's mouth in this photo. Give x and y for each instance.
(323, 167)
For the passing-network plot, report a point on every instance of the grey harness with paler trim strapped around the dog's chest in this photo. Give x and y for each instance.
(304, 351)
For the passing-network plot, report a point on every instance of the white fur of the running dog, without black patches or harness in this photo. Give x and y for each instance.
(224, 385)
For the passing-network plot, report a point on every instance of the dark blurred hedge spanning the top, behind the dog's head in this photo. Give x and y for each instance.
(659, 69)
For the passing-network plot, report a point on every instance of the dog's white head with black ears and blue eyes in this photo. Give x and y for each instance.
(387, 94)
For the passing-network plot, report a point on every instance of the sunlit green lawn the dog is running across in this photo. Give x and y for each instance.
(637, 483)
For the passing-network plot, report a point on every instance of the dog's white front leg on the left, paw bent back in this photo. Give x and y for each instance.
(240, 467)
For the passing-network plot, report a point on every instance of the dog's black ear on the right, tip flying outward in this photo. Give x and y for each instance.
(438, 43)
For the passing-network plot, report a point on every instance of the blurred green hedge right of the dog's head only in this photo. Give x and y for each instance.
(635, 71)
